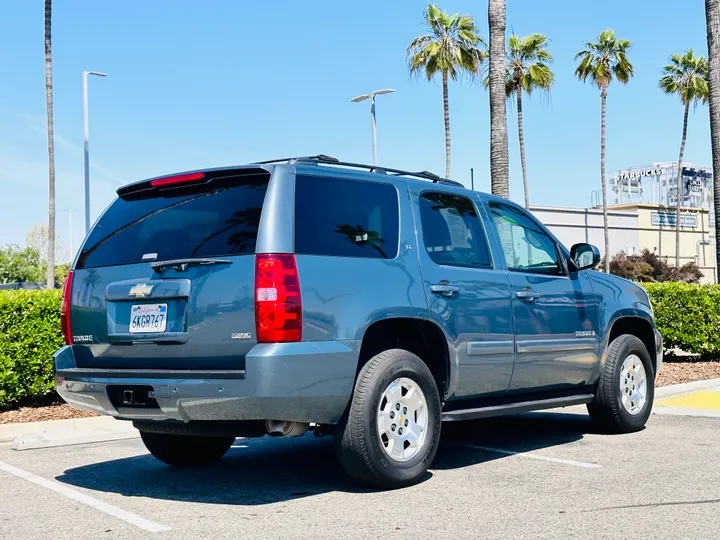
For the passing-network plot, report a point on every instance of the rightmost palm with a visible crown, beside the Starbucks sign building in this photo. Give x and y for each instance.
(685, 76)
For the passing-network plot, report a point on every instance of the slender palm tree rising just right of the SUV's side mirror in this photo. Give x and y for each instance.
(600, 62)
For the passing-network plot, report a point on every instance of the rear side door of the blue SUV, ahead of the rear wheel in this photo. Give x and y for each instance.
(467, 296)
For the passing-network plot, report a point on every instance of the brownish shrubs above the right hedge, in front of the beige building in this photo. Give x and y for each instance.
(649, 267)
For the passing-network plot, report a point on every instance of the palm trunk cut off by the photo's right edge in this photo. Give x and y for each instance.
(712, 15)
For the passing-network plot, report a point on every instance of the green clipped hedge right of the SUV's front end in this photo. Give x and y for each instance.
(687, 316)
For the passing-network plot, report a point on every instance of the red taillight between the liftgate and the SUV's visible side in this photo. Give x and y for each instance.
(278, 309)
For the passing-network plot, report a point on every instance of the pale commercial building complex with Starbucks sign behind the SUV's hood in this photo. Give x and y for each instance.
(641, 215)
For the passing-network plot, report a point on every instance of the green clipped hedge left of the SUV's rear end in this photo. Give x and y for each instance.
(29, 335)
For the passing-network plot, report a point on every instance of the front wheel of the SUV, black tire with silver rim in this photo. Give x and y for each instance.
(607, 411)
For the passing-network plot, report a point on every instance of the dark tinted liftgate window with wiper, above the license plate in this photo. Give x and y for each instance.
(179, 225)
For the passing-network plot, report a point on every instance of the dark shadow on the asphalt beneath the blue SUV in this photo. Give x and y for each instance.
(263, 471)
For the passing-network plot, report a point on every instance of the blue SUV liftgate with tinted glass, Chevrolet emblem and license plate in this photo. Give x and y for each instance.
(132, 307)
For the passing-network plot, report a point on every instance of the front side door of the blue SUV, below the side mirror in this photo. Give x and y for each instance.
(555, 311)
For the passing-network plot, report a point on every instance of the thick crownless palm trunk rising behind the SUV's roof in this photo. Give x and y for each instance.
(499, 167)
